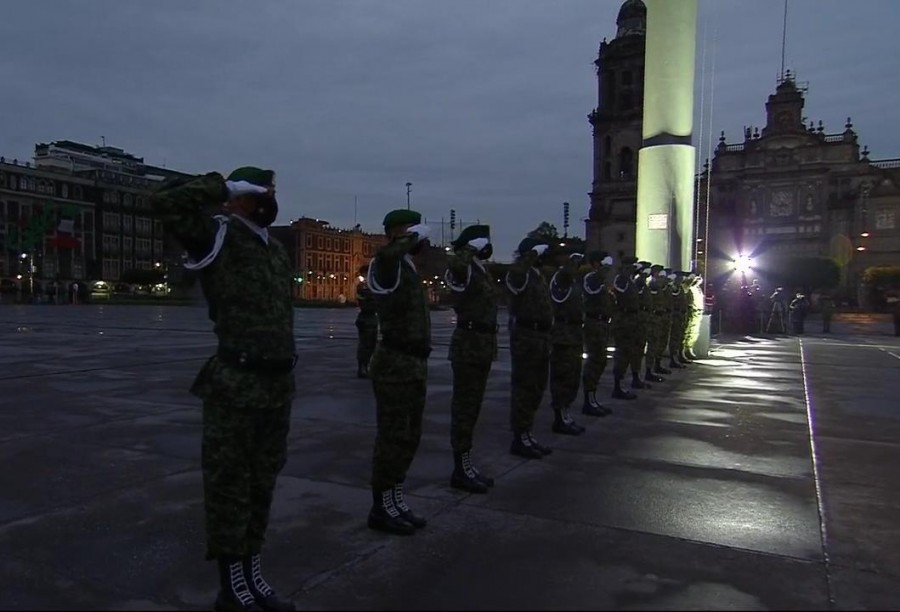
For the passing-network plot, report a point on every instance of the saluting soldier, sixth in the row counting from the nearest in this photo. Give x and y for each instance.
(599, 306)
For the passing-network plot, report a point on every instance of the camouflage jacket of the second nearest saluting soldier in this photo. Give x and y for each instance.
(403, 314)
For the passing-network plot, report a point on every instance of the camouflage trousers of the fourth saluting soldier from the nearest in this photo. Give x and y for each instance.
(530, 352)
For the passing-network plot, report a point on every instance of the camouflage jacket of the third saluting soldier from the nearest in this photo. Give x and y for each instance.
(475, 302)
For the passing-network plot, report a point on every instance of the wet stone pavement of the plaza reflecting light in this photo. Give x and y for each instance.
(702, 494)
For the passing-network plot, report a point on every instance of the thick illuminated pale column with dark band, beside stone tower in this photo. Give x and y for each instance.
(665, 209)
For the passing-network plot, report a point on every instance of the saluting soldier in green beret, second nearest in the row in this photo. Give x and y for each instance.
(398, 369)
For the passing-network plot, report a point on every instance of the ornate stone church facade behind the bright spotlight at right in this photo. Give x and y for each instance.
(792, 189)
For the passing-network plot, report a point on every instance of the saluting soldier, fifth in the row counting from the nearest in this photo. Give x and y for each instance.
(567, 342)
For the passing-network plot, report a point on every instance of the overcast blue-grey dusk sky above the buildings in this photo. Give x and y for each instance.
(481, 104)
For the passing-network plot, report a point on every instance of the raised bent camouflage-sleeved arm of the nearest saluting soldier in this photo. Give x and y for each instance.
(181, 206)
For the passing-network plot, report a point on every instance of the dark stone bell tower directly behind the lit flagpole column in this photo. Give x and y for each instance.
(616, 124)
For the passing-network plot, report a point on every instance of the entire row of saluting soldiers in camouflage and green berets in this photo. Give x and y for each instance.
(248, 385)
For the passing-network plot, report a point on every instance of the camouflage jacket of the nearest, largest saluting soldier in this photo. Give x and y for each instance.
(246, 281)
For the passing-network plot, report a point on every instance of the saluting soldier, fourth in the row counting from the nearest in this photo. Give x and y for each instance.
(531, 313)
